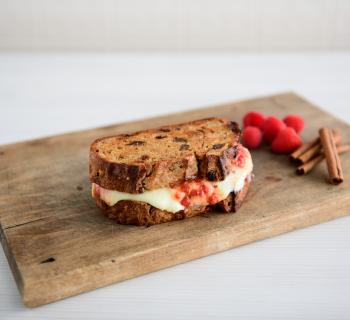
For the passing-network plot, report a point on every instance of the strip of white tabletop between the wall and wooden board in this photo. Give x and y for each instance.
(43, 94)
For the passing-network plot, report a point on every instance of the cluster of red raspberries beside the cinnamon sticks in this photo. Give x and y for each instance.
(282, 136)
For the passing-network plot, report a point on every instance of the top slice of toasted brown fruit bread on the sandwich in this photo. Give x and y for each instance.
(165, 156)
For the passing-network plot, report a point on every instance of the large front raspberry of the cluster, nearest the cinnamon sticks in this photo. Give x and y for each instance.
(286, 141)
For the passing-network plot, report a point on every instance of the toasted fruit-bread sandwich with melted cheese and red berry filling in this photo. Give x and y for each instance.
(170, 173)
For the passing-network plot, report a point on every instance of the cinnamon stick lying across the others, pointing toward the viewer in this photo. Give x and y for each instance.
(333, 162)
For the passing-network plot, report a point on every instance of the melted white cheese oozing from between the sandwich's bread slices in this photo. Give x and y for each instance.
(163, 198)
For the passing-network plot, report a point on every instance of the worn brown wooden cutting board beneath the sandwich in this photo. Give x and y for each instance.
(58, 244)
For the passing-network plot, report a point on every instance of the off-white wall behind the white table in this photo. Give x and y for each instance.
(174, 24)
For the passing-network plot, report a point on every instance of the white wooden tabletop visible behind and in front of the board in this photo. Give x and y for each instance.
(300, 275)
